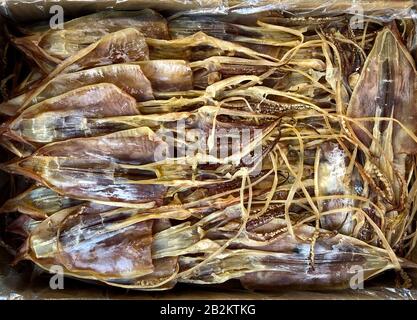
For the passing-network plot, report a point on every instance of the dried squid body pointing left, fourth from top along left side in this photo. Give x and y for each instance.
(66, 116)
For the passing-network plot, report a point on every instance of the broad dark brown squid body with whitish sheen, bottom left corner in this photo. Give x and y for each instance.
(81, 240)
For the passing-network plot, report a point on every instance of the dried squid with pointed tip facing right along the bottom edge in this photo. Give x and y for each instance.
(286, 261)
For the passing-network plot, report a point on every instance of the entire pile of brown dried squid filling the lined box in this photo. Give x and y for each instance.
(273, 150)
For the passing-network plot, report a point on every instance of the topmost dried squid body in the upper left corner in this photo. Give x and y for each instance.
(54, 46)
